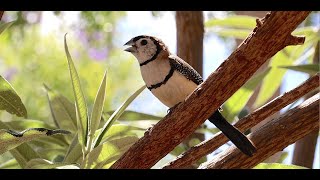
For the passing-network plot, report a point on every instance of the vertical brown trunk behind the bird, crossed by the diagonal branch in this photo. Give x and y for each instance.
(190, 31)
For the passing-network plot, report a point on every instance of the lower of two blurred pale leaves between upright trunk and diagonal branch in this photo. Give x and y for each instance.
(232, 33)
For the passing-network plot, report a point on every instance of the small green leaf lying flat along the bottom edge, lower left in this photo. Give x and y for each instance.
(43, 164)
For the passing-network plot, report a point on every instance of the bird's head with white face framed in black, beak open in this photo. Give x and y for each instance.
(145, 47)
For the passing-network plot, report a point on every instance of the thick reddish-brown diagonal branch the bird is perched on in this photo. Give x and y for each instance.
(264, 42)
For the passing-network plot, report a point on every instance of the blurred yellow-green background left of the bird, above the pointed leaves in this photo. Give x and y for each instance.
(32, 59)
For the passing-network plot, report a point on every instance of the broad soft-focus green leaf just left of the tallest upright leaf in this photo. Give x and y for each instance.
(62, 110)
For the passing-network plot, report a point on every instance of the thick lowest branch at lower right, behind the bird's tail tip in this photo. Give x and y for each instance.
(274, 136)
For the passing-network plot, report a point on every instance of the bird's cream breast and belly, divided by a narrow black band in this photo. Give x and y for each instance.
(176, 89)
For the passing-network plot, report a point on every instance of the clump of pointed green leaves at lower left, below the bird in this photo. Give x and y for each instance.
(111, 140)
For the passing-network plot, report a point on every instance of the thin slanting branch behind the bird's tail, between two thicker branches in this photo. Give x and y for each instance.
(206, 147)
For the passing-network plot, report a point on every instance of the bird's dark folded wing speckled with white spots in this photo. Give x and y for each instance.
(185, 69)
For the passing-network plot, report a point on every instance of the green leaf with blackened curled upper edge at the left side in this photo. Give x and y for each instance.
(10, 139)
